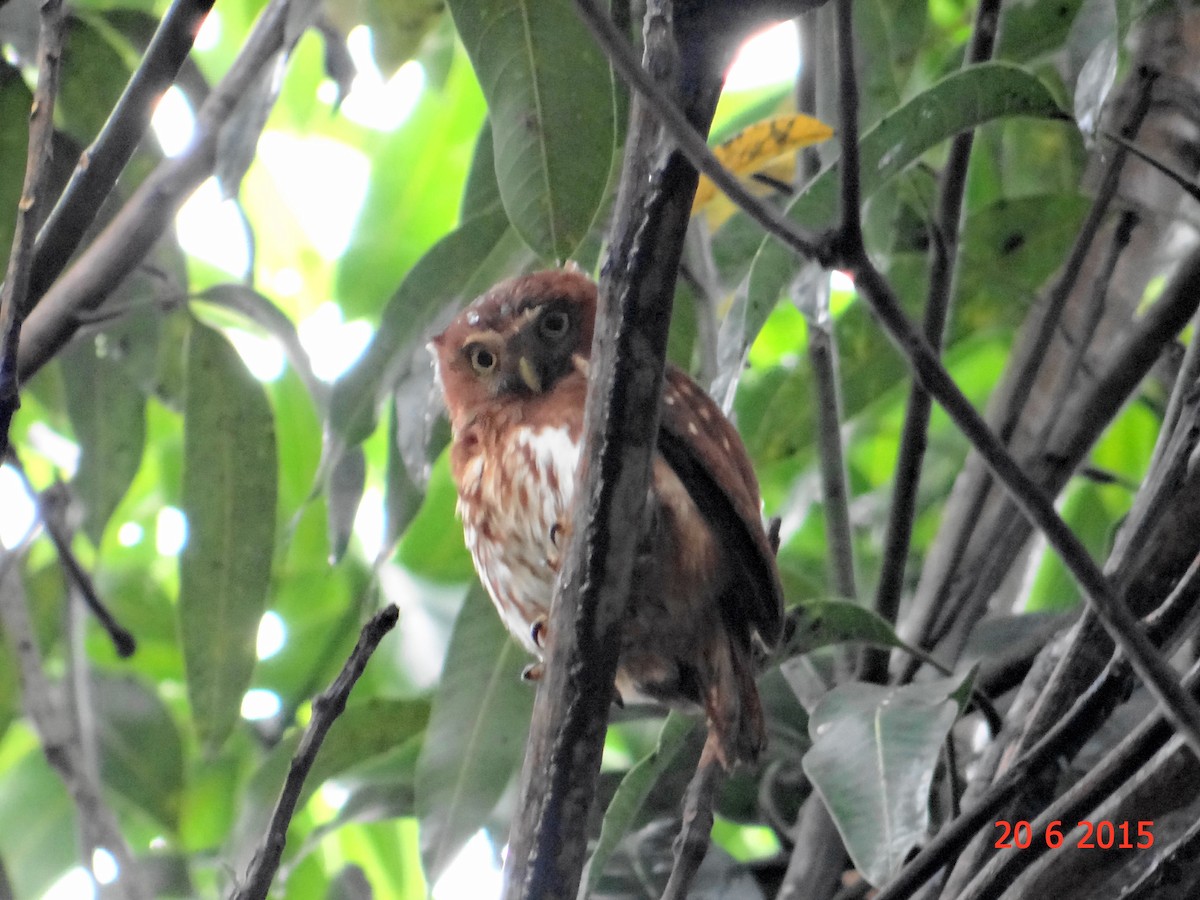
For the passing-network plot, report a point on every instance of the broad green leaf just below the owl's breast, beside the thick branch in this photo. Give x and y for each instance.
(477, 734)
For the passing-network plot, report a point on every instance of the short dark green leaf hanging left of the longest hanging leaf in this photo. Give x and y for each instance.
(107, 412)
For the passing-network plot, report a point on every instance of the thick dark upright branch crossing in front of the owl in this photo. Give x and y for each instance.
(549, 842)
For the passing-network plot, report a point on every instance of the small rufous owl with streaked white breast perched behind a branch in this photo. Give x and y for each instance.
(514, 369)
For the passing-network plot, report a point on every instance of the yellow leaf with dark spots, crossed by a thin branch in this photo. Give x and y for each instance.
(766, 148)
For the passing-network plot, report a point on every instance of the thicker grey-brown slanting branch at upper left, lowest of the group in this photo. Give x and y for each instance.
(141, 223)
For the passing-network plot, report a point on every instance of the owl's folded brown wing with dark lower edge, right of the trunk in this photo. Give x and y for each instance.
(700, 445)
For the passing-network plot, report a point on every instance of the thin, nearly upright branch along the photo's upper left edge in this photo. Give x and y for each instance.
(32, 207)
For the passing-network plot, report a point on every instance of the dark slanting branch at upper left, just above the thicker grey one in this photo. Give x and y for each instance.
(103, 163)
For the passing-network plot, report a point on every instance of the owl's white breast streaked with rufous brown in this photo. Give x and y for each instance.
(515, 497)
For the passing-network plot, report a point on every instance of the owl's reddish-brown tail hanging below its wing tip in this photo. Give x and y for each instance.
(737, 730)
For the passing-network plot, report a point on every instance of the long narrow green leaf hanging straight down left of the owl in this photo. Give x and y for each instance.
(230, 491)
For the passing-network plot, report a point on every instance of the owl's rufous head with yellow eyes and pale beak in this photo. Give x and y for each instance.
(518, 340)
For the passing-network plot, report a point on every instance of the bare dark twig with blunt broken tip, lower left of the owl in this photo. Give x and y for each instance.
(326, 710)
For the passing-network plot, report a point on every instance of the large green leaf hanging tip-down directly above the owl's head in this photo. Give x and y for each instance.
(550, 100)
